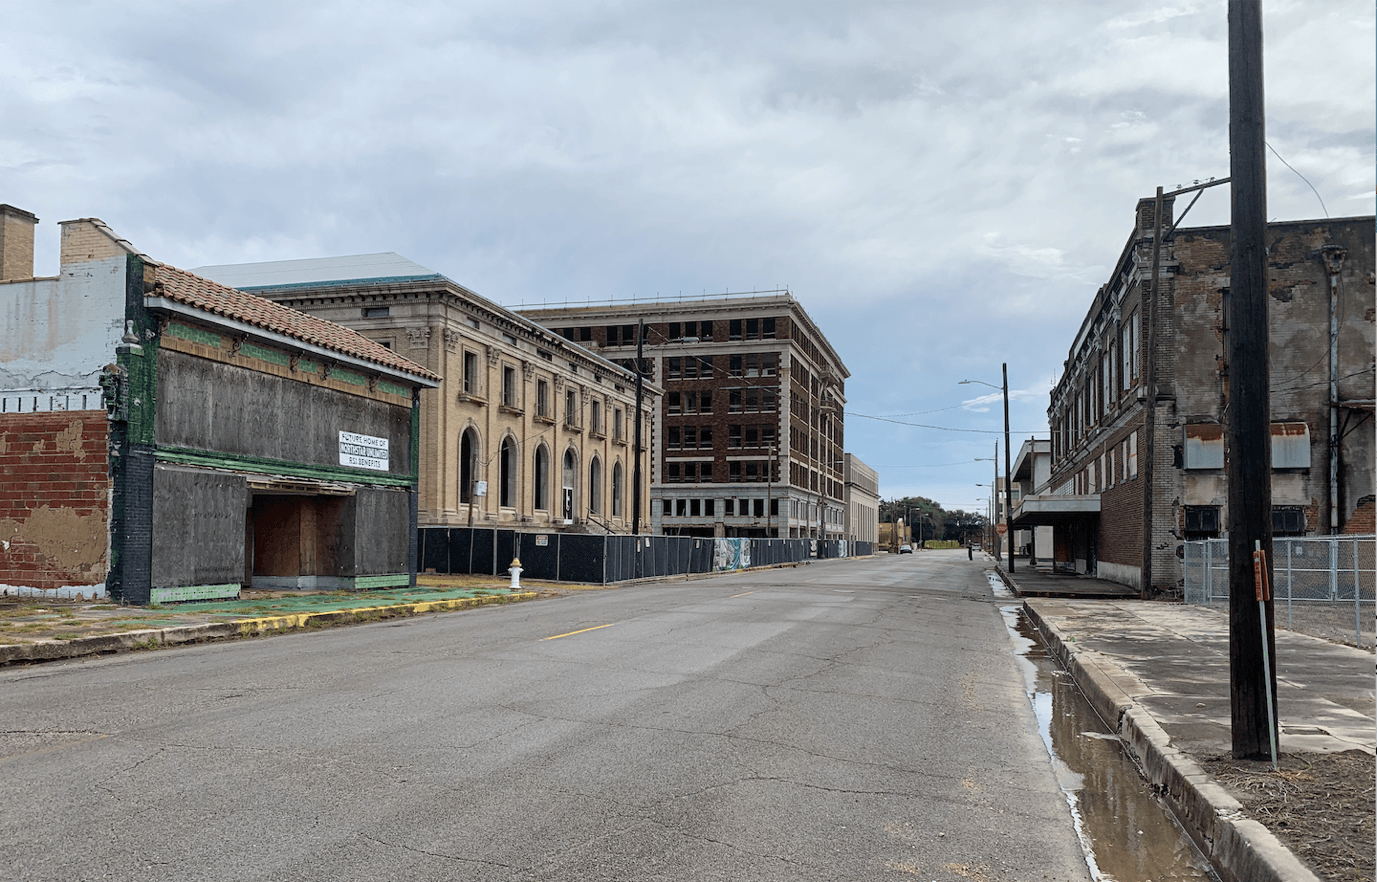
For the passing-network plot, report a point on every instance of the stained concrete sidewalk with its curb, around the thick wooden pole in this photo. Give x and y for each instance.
(1159, 675)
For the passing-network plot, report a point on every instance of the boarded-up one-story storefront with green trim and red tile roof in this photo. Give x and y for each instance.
(167, 438)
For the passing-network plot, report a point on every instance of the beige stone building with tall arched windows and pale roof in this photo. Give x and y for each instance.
(528, 431)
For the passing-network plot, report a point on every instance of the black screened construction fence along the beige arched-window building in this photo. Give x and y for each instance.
(601, 559)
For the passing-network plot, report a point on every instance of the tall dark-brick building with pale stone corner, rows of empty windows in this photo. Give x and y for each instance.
(750, 433)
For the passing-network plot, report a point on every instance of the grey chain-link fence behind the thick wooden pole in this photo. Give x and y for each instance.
(1325, 587)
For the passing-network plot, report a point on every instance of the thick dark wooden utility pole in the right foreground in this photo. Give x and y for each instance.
(1250, 408)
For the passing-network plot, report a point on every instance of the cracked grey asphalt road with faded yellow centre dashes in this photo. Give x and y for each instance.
(845, 720)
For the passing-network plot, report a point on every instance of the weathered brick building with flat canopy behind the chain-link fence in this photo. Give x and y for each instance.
(1120, 506)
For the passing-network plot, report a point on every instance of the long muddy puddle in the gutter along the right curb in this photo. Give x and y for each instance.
(1128, 836)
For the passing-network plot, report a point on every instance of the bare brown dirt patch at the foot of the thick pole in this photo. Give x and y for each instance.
(1320, 807)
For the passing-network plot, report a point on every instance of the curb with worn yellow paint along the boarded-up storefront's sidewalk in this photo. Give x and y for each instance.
(154, 639)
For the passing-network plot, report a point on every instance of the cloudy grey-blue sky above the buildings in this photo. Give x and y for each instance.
(943, 185)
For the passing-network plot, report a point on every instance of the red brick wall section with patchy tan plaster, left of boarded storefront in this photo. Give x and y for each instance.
(54, 500)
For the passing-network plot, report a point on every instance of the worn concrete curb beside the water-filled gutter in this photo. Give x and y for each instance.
(1241, 850)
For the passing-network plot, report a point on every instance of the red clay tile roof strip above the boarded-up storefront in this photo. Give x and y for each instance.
(193, 291)
